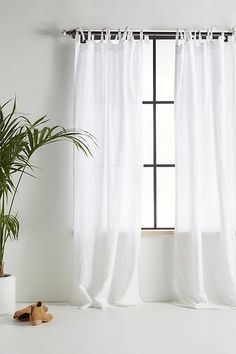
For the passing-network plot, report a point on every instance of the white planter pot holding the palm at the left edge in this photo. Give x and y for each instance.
(7, 294)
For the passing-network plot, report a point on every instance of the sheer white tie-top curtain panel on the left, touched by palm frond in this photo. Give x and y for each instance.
(107, 187)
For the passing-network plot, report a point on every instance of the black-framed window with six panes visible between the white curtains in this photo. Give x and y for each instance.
(158, 135)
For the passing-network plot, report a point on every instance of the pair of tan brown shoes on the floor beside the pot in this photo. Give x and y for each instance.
(36, 314)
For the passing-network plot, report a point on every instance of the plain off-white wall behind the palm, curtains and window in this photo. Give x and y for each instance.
(36, 65)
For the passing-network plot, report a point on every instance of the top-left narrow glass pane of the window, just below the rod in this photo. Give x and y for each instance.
(148, 72)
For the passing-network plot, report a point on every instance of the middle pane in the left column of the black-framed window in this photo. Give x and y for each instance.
(147, 133)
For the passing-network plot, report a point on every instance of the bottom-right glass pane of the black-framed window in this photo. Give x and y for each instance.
(165, 197)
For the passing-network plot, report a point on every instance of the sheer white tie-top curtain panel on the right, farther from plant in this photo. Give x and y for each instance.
(205, 113)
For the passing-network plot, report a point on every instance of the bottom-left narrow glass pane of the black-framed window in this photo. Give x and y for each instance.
(147, 201)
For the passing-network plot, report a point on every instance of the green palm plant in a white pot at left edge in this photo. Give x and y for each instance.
(19, 140)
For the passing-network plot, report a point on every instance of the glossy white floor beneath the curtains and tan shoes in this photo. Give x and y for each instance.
(153, 328)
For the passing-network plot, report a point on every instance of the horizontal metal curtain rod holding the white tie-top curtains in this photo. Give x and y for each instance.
(161, 34)
